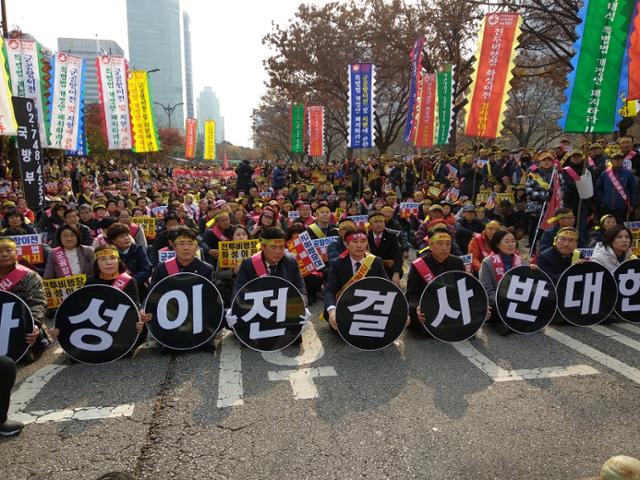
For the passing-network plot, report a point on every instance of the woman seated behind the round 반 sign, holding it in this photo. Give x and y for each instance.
(493, 268)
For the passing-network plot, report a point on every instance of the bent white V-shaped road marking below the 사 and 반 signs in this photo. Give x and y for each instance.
(499, 374)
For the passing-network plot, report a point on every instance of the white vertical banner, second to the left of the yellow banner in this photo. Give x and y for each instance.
(66, 101)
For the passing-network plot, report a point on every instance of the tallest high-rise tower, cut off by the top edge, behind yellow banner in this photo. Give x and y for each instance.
(155, 42)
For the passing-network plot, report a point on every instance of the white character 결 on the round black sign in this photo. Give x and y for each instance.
(371, 325)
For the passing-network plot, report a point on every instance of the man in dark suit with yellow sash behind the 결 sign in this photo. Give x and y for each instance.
(353, 264)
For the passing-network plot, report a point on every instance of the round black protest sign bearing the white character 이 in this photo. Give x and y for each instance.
(187, 311)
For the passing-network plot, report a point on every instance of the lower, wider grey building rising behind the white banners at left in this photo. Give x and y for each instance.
(88, 49)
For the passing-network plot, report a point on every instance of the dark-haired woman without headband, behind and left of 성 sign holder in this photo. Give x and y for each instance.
(71, 257)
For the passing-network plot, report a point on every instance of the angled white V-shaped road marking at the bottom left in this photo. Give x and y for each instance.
(30, 388)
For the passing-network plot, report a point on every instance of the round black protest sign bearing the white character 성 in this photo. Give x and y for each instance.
(97, 324)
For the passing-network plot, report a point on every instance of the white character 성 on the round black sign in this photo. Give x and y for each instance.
(92, 314)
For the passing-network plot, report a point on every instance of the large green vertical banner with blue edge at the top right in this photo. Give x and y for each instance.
(592, 102)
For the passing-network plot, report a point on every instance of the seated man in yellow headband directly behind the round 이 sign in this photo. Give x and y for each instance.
(185, 244)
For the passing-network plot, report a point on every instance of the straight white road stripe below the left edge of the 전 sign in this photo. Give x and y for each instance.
(230, 390)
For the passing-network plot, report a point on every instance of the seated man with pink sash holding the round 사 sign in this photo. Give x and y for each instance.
(424, 269)
